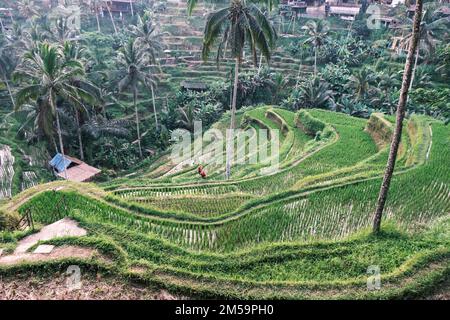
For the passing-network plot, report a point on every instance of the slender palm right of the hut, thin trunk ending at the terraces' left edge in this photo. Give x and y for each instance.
(136, 70)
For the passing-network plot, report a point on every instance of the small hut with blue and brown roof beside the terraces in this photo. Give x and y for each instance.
(72, 169)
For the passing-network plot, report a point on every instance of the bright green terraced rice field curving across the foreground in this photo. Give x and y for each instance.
(301, 232)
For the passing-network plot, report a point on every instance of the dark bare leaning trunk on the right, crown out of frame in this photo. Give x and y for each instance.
(407, 75)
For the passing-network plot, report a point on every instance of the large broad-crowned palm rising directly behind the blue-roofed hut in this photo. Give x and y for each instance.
(49, 78)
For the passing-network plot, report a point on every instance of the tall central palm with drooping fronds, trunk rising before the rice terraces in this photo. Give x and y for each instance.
(232, 27)
